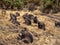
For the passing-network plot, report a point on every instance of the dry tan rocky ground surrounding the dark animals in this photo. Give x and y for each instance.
(9, 32)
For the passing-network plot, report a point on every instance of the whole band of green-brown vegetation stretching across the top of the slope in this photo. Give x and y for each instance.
(45, 5)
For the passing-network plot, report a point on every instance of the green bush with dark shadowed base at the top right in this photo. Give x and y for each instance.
(48, 5)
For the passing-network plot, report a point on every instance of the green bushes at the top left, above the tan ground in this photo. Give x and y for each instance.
(12, 3)
